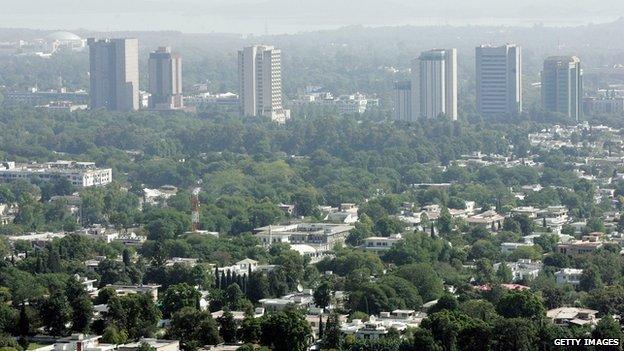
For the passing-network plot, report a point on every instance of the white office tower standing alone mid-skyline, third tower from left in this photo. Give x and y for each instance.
(260, 79)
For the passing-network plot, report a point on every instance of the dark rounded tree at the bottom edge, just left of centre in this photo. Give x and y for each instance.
(287, 330)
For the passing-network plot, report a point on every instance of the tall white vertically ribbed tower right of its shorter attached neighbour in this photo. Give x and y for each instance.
(434, 84)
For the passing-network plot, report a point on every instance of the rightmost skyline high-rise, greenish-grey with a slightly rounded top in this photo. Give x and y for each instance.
(562, 85)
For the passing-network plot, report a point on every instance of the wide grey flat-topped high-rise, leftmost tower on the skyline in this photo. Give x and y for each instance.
(114, 74)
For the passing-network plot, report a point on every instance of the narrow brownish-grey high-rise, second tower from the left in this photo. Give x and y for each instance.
(165, 80)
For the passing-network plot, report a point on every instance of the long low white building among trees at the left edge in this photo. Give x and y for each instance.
(80, 174)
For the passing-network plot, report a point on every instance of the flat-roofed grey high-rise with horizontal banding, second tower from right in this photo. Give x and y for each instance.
(499, 80)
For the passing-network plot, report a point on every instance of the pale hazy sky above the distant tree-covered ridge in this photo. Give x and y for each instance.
(287, 16)
